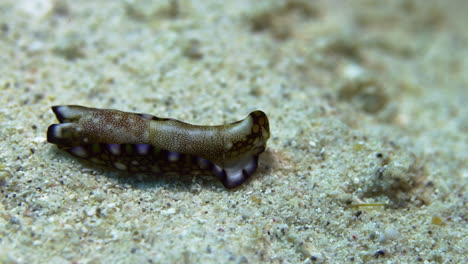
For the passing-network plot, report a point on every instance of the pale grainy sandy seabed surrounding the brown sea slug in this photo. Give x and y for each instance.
(367, 160)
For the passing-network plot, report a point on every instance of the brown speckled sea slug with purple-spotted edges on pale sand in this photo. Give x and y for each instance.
(145, 143)
